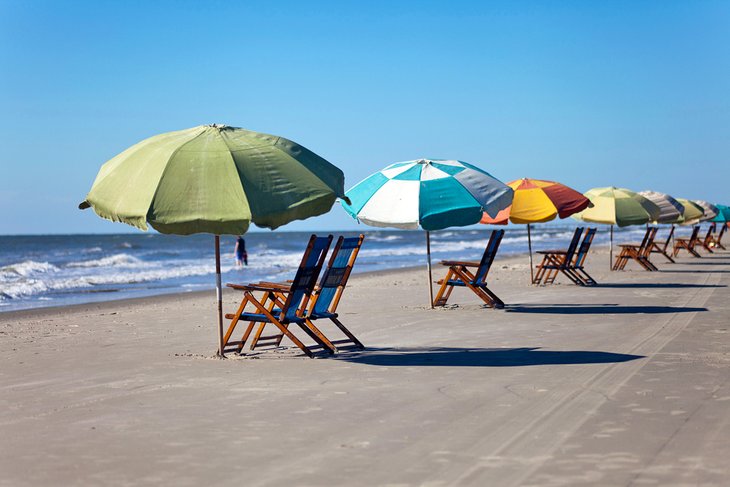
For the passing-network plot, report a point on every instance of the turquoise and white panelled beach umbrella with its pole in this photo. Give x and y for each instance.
(431, 194)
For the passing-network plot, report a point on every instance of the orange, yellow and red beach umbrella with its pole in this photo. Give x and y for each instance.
(537, 201)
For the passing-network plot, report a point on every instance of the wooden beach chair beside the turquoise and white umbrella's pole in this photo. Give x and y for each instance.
(460, 274)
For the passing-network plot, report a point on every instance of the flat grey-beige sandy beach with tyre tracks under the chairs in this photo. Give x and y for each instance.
(623, 384)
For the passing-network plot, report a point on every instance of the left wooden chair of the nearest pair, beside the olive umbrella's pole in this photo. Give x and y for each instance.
(270, 308)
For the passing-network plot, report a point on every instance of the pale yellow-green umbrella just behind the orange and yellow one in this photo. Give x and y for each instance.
(618, 206)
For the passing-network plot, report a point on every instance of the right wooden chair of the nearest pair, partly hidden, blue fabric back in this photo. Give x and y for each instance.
(327, 294)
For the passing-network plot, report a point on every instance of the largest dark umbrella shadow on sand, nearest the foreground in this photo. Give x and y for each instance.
(480, 357)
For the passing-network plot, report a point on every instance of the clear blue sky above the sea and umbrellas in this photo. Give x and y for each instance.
(632, 94)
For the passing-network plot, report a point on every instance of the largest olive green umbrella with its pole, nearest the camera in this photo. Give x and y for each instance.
(214, 179)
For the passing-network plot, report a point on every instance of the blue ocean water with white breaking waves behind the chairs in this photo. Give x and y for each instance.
(53, 270)
